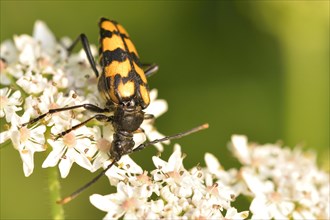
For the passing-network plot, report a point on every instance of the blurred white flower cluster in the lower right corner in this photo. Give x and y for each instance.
(283, 183)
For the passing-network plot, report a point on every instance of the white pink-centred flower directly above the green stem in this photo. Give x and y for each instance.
(72, 147)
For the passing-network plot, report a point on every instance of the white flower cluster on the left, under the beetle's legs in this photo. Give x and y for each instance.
(37, 74)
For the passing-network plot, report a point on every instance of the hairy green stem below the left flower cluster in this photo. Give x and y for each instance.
(57, 211)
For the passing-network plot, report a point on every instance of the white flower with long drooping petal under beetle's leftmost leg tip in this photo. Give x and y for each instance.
(26, 140)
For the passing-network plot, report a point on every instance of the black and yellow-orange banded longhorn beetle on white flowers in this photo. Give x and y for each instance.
(123, 84)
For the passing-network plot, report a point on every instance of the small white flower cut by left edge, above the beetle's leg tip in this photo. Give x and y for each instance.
(9, 103)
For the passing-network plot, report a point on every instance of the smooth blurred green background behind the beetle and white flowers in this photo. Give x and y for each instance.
(259, 68)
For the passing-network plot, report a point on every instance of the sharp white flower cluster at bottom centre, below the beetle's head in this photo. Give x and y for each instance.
(170, 191)
